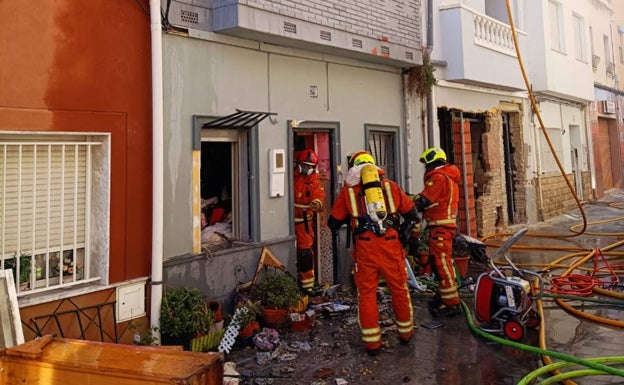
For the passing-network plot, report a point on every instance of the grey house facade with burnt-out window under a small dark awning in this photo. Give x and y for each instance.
(250, 83)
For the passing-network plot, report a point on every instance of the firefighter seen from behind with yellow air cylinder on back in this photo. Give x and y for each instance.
(377, 249)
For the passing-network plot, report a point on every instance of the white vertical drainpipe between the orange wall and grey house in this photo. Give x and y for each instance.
(157, 167)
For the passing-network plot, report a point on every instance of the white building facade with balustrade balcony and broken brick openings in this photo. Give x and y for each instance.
(511, 175)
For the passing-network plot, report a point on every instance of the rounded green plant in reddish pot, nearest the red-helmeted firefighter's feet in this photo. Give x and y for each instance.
(278, 291)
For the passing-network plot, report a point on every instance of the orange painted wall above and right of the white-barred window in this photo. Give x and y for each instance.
(84, 66)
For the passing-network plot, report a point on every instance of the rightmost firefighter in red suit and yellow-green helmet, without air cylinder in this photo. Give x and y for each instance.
(438, 203)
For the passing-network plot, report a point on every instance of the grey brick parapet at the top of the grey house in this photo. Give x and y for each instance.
(397, 20)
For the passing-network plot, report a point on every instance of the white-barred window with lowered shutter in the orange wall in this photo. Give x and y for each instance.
(54, 207)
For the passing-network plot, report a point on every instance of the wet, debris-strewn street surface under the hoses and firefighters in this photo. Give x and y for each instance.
(454, 354)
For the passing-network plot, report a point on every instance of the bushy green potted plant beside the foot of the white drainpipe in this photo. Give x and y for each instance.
(184, 315)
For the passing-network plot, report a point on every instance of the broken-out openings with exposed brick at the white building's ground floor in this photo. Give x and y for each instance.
(487, 148)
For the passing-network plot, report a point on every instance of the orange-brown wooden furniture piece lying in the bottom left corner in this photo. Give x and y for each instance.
(60, 361)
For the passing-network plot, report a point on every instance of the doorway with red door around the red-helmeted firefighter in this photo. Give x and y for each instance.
(320, 137)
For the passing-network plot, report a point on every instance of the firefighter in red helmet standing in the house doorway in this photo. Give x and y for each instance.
(309, 199)
